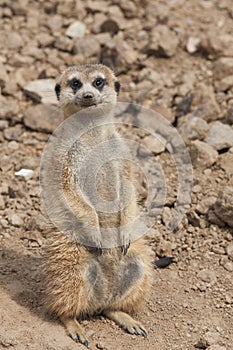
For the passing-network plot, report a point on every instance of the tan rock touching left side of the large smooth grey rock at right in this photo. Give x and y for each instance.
(192, 127)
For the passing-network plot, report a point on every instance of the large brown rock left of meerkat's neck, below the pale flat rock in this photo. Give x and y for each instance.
(43, 118)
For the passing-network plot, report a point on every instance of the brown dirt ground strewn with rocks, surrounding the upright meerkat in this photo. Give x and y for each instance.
(175, 57)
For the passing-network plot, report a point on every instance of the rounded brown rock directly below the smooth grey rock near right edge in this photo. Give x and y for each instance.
(203, 155)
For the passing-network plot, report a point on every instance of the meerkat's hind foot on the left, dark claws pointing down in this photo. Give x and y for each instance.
(75, 330)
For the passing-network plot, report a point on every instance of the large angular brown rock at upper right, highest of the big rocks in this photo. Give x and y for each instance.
(163, 42)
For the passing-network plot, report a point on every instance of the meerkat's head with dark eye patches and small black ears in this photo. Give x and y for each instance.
(84, 86)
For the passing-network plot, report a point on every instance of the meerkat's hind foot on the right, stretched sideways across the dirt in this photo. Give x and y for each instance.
(126, 322)
